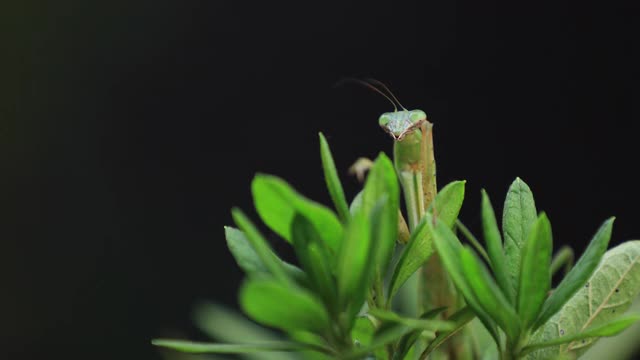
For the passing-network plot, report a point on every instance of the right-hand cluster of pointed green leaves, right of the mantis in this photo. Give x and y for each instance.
(512, 294)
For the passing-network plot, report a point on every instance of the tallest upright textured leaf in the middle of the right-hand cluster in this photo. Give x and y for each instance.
(518, 216)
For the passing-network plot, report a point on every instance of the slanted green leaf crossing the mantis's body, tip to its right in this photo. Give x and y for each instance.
(420, 246)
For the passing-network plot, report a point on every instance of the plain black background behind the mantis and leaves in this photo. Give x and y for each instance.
(130, 128)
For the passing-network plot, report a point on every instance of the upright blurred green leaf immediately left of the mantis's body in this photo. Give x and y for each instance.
(382, 183)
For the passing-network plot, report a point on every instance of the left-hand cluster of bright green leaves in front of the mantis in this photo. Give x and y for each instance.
(337, 303)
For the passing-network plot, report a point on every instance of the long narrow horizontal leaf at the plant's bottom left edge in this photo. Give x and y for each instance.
(204, 348)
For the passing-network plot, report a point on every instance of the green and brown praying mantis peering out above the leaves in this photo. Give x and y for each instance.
(414, 160)
